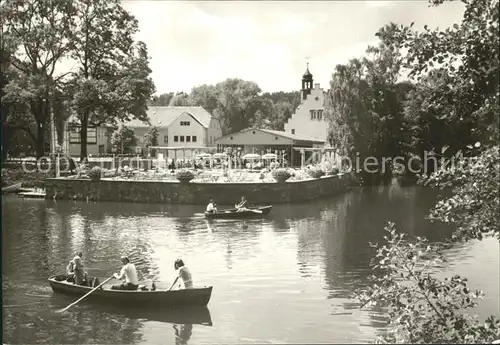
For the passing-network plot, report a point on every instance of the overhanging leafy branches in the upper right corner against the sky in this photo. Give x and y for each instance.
(464, 60)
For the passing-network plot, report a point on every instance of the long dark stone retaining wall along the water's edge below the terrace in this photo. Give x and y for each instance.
(194, 193)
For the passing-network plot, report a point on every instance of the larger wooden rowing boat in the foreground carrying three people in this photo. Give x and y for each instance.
(196, 297)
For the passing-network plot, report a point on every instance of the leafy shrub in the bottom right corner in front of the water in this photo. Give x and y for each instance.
(422, 308)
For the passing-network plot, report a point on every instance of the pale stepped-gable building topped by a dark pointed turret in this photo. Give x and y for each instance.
(309, 118)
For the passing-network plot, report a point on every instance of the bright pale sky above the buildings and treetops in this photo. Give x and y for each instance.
(268, 42)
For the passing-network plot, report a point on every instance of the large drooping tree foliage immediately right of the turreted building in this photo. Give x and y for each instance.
(365, 109)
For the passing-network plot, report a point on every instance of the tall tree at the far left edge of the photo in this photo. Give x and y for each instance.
(36, 33)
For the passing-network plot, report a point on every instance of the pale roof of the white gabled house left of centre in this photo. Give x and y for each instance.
(164, 116)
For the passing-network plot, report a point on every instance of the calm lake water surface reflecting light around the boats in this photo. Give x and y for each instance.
(285, 279)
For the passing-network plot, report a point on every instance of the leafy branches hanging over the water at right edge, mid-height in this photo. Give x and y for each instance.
(475, 202)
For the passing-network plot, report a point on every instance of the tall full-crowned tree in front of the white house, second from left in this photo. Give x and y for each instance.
(113, 81)
